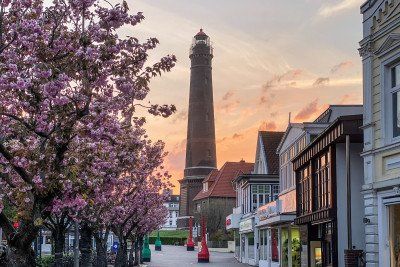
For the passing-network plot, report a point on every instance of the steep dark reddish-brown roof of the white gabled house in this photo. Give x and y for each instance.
(271, 141)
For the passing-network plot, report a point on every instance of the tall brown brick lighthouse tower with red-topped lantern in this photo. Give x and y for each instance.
(200, 147)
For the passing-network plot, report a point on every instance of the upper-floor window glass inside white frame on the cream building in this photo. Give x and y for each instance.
(395, 96)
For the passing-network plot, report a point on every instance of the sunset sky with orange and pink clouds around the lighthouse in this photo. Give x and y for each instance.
(271, 58)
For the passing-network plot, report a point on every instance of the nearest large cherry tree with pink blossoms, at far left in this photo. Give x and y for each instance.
(66, 77)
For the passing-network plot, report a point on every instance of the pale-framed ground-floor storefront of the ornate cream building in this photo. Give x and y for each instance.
(389, 227)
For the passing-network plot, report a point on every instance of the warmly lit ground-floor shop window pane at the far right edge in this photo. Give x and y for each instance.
(394, 235)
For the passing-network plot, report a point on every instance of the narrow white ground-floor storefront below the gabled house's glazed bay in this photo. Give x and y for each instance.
(248, 241)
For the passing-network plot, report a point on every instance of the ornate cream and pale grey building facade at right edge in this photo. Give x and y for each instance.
(380, 52)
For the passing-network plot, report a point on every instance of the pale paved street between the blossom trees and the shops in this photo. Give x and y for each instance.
(173, 256)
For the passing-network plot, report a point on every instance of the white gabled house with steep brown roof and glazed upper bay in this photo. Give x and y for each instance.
(253, 191)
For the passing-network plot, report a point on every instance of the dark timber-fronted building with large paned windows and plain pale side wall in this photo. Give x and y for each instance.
(329, 177)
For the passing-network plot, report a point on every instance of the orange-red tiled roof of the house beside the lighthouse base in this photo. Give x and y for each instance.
(222, 186)
